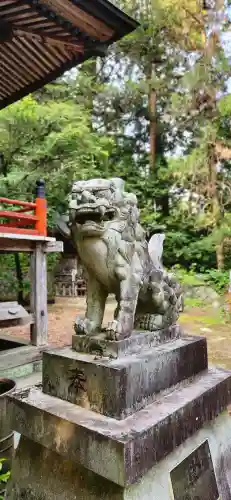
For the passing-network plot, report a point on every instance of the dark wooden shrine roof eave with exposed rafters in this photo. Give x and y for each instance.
(41, 39)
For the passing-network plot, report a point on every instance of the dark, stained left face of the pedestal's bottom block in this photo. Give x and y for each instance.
(40, 474)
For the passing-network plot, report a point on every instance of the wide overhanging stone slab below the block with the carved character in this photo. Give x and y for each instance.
(121, 451)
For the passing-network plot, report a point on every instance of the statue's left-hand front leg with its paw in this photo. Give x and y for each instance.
(96, 299)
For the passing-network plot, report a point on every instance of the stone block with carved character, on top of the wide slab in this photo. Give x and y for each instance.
(120, 387)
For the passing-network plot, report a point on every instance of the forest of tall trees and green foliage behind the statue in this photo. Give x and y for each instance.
(155, 110)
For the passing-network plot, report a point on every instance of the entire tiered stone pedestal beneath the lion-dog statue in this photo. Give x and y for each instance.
(135, 419)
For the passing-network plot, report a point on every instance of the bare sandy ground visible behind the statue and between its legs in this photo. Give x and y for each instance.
(197, 321)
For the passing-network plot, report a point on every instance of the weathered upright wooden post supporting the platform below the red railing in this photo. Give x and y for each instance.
(38, 299)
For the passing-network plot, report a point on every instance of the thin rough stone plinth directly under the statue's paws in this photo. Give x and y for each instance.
(139, 340)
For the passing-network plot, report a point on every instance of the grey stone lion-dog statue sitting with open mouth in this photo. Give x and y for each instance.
(105, 229)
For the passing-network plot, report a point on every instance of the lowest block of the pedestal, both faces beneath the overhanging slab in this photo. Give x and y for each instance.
(41, 474)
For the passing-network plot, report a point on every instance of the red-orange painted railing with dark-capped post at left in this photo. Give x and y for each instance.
(17, 221)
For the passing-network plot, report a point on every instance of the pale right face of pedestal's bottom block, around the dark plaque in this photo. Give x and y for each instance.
(157, 484)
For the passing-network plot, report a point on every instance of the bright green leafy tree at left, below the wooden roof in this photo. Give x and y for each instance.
(53, 141)
